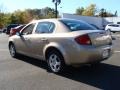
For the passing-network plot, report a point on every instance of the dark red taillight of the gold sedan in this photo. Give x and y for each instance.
(83, 40)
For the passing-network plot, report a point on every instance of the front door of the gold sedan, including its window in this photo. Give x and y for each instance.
(23, 42)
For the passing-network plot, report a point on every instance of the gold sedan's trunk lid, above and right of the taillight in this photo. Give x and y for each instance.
(97, 37)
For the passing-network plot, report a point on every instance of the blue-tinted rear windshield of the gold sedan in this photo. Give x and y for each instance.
(75, 25)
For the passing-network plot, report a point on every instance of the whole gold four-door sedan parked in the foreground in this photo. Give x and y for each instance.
(62, 42)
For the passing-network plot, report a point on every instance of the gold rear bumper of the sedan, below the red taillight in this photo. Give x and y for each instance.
(90, 55)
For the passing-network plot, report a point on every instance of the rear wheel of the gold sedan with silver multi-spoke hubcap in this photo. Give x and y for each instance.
(55, 61)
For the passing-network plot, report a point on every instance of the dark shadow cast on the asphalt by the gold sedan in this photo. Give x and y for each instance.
(104, 76)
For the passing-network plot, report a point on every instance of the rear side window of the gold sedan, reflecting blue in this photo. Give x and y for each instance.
(45, 27)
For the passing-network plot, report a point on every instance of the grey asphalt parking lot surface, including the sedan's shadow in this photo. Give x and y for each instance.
(26, 73)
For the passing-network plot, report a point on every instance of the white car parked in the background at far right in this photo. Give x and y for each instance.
(113, 27)
